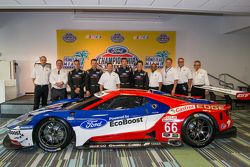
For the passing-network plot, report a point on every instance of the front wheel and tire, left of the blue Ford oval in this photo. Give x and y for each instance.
(53, 134)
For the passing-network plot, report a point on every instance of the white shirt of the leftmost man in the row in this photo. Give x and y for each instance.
(41, 75)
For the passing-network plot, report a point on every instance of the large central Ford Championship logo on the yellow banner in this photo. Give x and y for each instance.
(114, 54)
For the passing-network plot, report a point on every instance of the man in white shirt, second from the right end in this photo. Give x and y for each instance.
(184, 78)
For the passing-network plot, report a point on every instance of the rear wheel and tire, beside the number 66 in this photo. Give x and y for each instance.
(198, 130)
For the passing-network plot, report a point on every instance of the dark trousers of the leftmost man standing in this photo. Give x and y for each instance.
(41, 92)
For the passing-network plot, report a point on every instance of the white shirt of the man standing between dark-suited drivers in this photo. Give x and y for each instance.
(109, 80)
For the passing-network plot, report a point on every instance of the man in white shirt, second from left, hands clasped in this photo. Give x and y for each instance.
(58, 79)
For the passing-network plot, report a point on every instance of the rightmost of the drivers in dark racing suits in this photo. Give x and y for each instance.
(141, 80)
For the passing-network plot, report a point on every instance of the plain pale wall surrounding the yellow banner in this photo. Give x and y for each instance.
(26, 36)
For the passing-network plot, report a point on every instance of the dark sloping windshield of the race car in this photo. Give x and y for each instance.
(82, 104)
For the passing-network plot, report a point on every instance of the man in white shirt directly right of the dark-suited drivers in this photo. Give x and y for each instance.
(155, 78)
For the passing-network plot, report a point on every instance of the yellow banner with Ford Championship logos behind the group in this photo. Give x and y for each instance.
(111, 46)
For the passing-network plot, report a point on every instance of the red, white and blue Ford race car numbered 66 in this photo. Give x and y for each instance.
(122, 118)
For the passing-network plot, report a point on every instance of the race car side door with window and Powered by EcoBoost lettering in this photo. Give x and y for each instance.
(124, 113)
